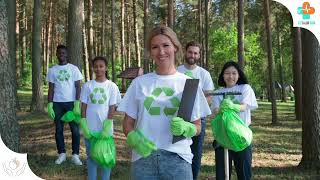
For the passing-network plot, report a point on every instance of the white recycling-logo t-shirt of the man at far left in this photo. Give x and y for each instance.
(64, 77)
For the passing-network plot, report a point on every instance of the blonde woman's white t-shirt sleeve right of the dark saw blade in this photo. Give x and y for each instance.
(200, 107)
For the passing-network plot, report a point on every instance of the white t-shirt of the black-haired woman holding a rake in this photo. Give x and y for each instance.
(247, 97)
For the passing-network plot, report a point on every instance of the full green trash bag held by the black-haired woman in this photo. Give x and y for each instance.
(230, 131)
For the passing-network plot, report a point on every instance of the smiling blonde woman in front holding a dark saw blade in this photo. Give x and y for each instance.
(151, 104)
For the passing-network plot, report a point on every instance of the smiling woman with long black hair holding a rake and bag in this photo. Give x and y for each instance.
(232, 79)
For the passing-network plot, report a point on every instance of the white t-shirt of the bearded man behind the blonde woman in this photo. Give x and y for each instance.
(200, 73)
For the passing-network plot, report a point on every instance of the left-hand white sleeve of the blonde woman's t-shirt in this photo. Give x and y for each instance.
(129, 103)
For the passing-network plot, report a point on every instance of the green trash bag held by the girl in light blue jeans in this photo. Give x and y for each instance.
(103, 151)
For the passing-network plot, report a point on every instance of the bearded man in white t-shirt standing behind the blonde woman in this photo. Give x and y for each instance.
(191, 69)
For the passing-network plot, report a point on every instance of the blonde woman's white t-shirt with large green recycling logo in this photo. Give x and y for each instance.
(153, 100)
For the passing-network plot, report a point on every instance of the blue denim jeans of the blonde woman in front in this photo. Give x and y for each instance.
(161, 165)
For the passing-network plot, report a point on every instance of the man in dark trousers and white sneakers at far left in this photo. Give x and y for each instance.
(63, 95)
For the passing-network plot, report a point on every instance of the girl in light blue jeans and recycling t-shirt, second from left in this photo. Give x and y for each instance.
(99, 98)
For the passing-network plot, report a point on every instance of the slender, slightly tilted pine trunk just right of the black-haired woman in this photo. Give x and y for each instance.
(270, 63)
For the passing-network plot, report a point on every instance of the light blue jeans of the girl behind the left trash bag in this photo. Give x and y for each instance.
(93, 167)
